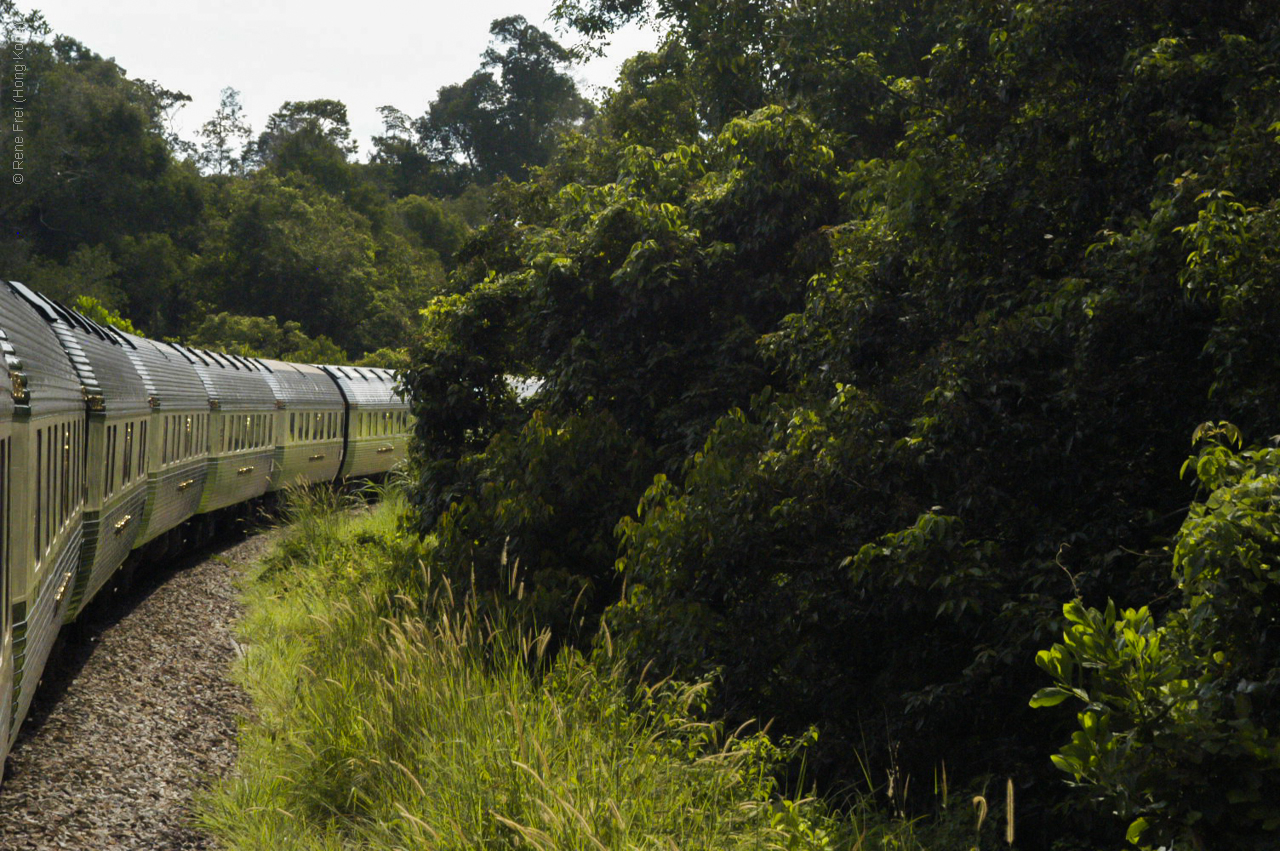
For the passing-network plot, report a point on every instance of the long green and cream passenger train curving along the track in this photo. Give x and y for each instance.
(113, 443)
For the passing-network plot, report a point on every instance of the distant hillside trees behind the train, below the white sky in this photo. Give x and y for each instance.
(282, 225)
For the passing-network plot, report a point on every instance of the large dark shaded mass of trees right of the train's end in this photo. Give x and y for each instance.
(856, 340)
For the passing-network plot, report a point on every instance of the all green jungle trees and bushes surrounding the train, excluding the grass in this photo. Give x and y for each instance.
(903, 369)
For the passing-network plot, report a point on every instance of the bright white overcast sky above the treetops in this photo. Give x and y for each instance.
(364, 53)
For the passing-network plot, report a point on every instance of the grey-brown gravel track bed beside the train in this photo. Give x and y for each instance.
(136, 716)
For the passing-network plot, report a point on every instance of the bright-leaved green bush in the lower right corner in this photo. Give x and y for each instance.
(1182, 726)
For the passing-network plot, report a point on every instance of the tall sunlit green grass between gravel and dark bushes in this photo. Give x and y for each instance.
(391, 716)
